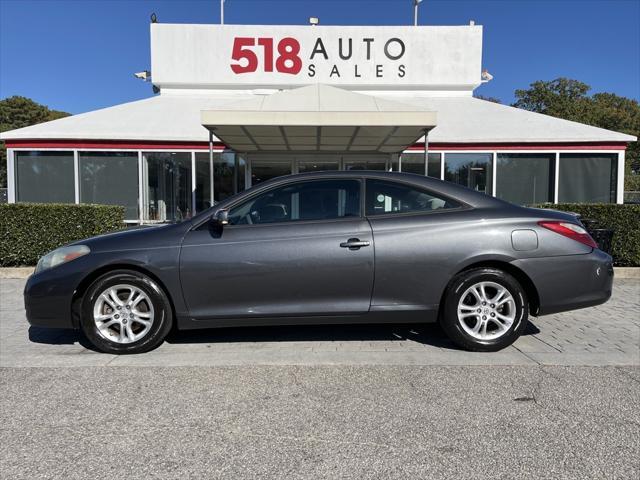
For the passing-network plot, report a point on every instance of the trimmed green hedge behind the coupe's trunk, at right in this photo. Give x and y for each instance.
(624, 220)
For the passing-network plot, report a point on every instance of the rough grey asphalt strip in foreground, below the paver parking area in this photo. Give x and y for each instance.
(328, 422)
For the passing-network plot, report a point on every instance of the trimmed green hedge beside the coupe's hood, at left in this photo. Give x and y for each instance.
(29, 230)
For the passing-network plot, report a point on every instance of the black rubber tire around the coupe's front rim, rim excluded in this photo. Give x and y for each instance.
(162, 318)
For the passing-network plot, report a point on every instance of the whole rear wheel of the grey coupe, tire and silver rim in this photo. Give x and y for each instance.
(472, 321)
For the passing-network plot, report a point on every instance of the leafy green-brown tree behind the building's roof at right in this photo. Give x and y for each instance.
(569, 99)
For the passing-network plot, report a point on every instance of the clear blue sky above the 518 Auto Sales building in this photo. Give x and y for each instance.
(79, 55)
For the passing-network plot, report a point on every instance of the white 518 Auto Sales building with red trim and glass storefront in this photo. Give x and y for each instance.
(237, 105)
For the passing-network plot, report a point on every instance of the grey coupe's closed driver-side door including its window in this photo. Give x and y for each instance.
(302, 248)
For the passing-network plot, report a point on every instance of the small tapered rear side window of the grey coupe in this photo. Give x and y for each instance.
(390, 197)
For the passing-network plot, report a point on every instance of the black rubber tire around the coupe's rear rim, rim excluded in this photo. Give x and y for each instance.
(459, 285)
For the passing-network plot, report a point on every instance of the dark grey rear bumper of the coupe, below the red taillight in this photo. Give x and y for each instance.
(570, 282)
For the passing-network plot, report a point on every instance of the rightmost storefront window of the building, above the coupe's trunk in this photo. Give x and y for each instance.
(587, 178)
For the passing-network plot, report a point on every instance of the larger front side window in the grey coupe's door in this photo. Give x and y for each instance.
(312, 200)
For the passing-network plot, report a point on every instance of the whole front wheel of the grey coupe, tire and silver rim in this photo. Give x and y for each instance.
(127, 323)
